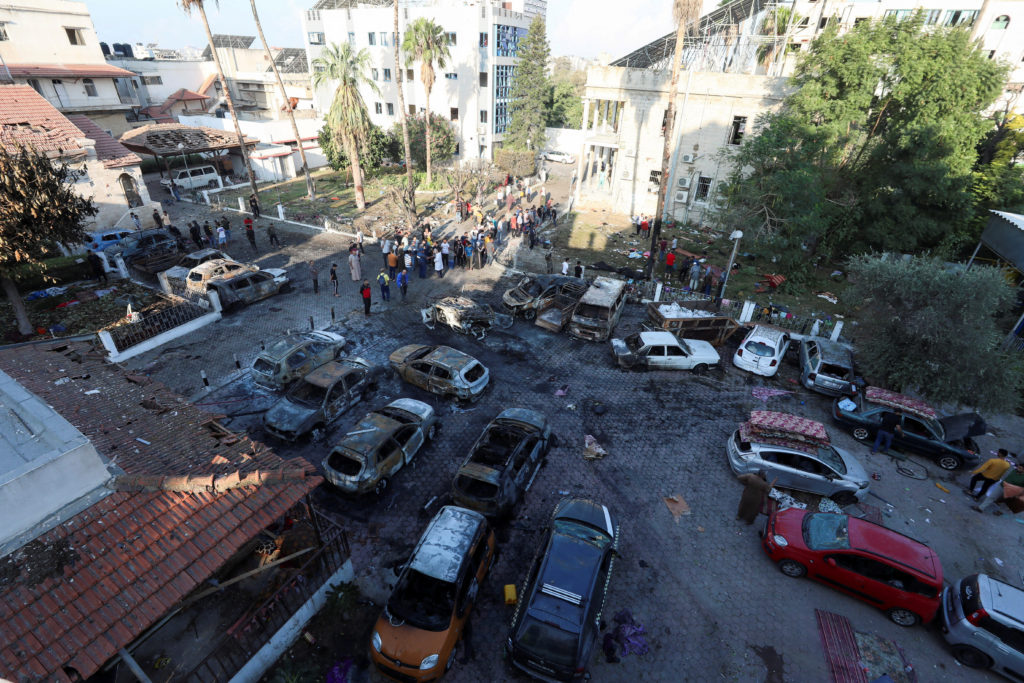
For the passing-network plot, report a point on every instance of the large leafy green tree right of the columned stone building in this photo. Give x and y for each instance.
(873, 151)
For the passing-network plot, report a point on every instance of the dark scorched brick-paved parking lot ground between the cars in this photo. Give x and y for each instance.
(713, 606)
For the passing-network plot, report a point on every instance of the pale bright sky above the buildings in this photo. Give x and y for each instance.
(583, 28)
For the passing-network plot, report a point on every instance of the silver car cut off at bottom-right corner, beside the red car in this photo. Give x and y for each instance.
(984, 622)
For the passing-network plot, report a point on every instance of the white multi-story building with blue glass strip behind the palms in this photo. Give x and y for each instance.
(473, 92)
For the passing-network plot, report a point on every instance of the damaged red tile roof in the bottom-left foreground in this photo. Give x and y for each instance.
(77, 594)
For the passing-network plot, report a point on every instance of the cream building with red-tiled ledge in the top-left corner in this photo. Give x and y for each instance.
(52, 46)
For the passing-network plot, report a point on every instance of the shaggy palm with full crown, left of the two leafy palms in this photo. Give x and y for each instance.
(348, 117)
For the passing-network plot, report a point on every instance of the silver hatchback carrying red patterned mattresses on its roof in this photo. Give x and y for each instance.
(825, 471)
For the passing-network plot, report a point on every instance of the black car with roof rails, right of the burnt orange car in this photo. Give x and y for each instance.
(556, 626)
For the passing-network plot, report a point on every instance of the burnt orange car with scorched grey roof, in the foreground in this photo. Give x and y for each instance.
(416, 637)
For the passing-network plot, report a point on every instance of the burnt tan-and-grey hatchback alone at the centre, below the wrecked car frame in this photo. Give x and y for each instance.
(441, 370)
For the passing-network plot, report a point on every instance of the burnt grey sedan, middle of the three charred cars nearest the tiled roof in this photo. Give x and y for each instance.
(320, 398)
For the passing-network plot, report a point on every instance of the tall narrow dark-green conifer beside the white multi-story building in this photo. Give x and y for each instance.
(530, 91)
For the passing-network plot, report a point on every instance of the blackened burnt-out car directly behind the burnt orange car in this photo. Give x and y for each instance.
(502, 464)
